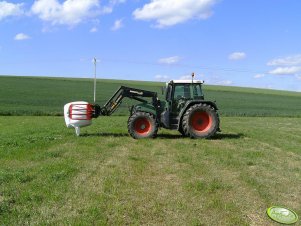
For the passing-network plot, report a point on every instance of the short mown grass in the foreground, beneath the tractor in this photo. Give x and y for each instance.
(50, 176)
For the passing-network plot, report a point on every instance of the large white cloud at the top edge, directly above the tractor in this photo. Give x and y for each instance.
(170, 12)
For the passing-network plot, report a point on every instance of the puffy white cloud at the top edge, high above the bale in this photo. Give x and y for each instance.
(70, 12)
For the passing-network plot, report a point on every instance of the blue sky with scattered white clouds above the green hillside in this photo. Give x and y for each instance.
(252, 43)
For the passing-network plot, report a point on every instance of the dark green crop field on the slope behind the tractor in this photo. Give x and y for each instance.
(47, 96)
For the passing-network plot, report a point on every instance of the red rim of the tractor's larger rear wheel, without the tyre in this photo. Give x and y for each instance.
(201, 121)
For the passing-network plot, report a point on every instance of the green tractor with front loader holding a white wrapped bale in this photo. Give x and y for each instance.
(184, 109)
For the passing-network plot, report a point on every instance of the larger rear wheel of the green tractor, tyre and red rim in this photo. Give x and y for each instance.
(200, 121)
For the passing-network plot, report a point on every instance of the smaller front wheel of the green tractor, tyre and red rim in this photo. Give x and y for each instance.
(142, 125)
